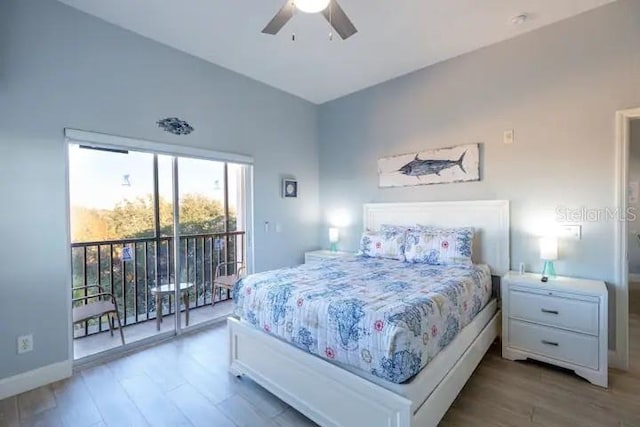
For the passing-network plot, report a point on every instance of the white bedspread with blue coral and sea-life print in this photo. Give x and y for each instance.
(386, 317)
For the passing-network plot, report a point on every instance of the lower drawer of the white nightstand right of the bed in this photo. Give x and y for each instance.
(578, 349)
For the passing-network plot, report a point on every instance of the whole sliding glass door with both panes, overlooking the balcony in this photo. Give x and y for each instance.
(151, 230)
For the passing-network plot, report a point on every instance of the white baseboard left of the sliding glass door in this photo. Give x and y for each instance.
(36, 378)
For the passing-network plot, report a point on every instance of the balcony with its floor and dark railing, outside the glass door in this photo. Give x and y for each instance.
(129, 269)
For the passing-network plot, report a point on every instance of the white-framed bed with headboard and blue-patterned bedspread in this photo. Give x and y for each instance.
(313, 335)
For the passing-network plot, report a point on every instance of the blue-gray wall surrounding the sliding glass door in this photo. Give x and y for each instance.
(61, 68)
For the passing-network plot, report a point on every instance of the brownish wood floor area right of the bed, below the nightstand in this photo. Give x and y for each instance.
(502, 393)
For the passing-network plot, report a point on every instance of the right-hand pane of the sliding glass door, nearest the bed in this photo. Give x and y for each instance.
(212, 231)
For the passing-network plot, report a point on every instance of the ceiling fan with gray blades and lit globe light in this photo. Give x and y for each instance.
(331, 10)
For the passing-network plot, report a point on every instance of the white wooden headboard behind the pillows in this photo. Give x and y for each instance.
(490, 219)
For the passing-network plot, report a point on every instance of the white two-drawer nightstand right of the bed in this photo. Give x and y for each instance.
(562, 322)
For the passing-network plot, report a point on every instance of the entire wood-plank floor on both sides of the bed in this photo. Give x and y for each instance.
(184, 383)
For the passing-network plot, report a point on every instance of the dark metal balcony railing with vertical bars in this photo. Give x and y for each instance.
(130, 268)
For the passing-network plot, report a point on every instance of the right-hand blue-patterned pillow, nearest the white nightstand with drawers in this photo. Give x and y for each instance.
(438, 246)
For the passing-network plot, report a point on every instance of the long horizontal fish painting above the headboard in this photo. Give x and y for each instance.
(439, 166)
